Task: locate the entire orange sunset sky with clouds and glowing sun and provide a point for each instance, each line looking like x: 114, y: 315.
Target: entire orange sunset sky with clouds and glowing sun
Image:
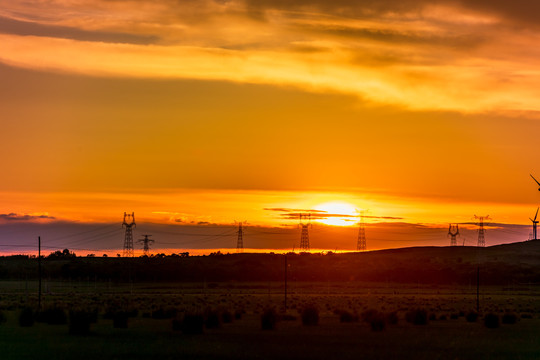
x: 196, y: 114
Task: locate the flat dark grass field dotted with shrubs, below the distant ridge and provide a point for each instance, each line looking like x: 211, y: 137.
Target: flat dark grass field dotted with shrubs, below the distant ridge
x: 447, y: 334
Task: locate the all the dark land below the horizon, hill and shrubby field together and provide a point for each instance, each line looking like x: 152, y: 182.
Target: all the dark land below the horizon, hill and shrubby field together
x: 416, y: 303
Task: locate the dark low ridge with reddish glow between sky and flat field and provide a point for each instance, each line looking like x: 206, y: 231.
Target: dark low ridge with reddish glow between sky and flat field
x: 499, y: 265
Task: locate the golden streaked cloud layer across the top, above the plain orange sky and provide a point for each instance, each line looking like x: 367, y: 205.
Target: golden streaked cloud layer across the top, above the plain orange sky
x: 465, y: 56
